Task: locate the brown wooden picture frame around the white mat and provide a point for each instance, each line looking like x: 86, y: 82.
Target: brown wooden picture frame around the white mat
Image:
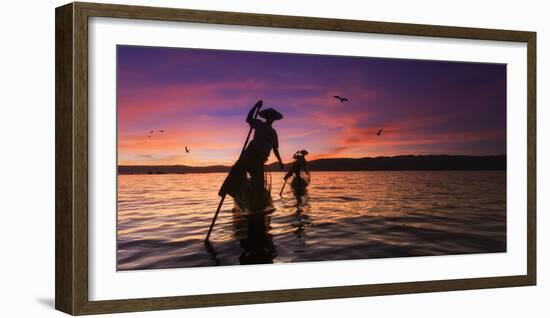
x: 71, y: 270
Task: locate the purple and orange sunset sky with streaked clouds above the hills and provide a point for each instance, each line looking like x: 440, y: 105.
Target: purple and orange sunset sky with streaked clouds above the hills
x: 200, y: 98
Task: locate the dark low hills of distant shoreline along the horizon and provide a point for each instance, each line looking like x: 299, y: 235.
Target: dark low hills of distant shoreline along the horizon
x: 396, y: 163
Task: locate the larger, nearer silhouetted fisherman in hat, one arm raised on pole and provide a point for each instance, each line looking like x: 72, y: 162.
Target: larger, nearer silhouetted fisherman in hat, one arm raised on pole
x: 254, y: 157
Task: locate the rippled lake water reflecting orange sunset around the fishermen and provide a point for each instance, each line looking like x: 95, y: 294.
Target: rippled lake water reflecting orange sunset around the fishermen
x: 163, y: 219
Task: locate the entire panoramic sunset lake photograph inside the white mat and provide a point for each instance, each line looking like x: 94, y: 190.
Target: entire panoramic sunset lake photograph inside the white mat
x: 241, y: 158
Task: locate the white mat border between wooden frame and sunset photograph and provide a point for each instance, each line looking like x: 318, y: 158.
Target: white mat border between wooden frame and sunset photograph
x: 106, y: 283
